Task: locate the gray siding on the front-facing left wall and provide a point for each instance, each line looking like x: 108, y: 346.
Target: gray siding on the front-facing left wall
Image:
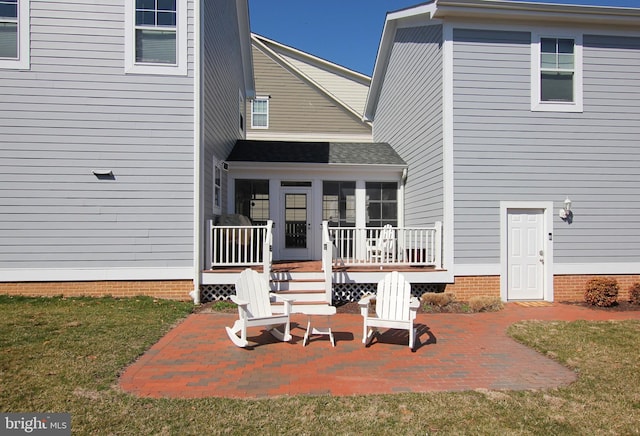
x: 74, y: 111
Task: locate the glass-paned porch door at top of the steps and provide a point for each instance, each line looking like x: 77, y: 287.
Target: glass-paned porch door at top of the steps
x: 296, y: 237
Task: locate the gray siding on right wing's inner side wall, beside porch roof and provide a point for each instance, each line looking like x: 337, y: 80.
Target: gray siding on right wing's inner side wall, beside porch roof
x: 409, y: 117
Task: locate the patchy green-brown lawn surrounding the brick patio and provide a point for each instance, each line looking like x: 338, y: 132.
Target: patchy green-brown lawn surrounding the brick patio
x: 64, y: 355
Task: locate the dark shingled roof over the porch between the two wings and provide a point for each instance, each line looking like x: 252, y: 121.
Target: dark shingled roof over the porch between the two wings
x: 346, y: 153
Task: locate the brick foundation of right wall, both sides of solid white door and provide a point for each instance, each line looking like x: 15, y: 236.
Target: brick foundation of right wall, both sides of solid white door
x: 565, y: 287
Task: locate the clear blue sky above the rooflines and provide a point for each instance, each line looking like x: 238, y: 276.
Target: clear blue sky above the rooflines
x: 346, y: 32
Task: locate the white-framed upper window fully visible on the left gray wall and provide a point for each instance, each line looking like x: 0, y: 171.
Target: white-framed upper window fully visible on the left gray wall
x: 156, y: 41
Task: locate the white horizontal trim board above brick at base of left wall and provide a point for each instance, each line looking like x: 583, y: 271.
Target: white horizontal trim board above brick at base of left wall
x: 87, y: 274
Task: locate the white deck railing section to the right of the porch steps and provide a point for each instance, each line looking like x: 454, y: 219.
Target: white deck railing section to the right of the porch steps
x: 373, y: 246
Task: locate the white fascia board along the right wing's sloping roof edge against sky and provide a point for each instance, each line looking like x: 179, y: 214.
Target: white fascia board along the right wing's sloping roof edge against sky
x: 414, y: 16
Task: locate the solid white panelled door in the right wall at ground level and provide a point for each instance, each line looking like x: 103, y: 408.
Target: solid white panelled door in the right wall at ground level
x: 525, y: 254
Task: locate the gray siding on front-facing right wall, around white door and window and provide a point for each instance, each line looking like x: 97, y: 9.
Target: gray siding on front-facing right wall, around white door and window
x: 503, y: 151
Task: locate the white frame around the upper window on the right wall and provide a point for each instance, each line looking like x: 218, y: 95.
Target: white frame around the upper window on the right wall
x: 537, y: 105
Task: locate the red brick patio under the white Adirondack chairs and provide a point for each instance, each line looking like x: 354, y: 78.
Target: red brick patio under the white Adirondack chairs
x: 454, y: 352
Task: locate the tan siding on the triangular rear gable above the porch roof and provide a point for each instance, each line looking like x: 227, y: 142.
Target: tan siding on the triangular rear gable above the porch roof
x: 295, y: 106
